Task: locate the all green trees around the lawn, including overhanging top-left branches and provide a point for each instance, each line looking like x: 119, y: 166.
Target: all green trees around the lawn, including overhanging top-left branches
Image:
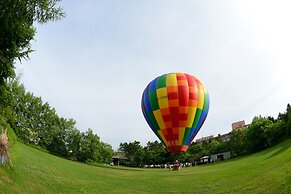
x: 34, y: 122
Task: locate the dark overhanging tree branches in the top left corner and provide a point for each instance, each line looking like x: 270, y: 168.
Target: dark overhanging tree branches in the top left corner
x: 16, y: 20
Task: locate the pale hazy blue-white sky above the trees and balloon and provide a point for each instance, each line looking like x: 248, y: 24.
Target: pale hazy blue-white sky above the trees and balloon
x: 94, y: 64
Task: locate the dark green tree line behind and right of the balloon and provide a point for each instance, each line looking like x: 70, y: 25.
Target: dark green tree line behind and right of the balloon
x: 263, y: 132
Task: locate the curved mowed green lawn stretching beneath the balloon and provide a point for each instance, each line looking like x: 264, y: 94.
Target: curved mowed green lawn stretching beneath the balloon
x: 34, y: 171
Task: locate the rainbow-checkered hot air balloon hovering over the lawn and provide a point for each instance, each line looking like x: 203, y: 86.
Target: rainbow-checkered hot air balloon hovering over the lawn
x: 175, y: 106
